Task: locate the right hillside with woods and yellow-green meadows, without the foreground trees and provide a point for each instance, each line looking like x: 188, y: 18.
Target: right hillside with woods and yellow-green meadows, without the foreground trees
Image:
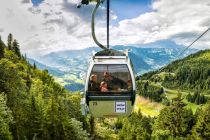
x: 189, y: 77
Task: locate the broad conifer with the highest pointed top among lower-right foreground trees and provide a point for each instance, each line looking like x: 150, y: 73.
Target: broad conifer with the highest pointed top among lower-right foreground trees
x: 174, y: 121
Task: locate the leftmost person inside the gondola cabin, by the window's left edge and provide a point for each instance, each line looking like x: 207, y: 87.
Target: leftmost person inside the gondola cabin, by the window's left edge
x: 93, y: 84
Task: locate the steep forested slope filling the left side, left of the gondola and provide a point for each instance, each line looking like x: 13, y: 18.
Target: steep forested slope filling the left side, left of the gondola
x: 32, y: 105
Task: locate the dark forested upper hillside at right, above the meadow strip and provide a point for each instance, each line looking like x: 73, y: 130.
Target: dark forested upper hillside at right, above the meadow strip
x: 191, y: 73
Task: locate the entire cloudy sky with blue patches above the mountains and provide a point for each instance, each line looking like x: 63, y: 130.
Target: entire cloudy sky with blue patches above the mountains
x: 45, y: 26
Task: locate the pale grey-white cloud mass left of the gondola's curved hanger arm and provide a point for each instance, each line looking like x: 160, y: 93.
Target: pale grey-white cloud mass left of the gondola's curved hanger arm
x: 50, y: 29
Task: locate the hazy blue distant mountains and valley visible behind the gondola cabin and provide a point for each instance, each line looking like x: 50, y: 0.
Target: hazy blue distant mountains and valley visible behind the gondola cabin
x: 70, y: 66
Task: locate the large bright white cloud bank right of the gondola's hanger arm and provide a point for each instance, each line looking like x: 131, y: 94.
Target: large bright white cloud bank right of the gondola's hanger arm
x: 181, y: 23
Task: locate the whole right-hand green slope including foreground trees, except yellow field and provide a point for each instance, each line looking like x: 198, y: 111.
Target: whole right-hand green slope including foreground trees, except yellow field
x: 176, y: 120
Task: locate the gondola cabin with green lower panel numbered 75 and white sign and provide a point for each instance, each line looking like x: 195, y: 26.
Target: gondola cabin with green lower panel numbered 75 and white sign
x: 110, y: 85
